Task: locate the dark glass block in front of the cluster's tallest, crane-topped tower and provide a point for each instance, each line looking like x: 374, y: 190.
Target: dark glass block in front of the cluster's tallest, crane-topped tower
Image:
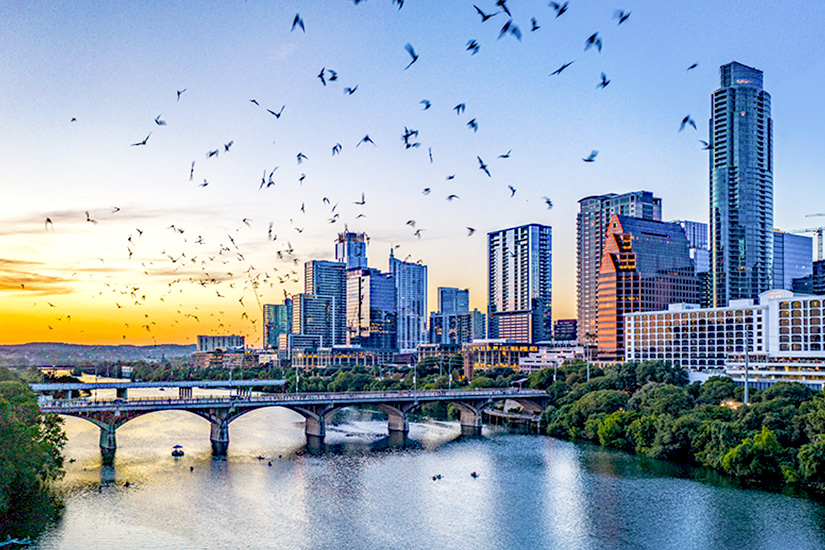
x: 371, y: 310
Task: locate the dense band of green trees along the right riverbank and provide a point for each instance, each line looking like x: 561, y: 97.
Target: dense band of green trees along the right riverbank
x: 650, y: 409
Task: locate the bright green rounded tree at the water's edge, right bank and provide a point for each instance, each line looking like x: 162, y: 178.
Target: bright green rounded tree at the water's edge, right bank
x: 756, y: 458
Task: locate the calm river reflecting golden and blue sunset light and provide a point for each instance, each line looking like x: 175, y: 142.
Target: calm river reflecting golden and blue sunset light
x: 362, y: 492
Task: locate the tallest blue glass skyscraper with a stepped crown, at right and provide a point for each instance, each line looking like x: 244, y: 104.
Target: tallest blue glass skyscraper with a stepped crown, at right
x: 741, y: 186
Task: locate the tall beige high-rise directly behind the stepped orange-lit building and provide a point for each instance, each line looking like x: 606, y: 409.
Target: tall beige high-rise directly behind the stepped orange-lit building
x: 591, y: 226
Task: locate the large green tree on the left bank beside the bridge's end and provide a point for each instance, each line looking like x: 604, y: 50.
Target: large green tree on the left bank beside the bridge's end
x: 30, y: 446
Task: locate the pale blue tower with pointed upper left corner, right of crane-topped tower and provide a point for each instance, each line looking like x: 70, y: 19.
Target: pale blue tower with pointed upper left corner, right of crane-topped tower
x: 411, y: 302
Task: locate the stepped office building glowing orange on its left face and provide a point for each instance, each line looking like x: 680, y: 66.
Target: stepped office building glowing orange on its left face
x: 646, y: 266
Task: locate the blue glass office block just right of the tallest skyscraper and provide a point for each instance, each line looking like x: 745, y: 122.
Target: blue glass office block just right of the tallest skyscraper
x: 793, y: 260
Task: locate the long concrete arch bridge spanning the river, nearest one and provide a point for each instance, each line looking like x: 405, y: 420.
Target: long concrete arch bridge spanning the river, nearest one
x: 110, y: 414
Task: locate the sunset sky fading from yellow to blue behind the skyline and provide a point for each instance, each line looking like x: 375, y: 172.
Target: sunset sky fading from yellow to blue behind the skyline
x: 135, y: 251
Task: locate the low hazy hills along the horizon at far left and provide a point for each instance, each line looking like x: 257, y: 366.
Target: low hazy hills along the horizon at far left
x: 46, y: 353
